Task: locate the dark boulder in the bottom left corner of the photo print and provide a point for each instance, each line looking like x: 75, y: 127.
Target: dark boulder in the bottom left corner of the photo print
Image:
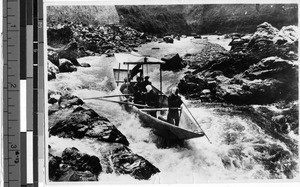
x: 74, y: 166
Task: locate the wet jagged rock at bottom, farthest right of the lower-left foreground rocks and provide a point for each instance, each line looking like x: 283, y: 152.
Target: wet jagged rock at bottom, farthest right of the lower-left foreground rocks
x: 126, y: 162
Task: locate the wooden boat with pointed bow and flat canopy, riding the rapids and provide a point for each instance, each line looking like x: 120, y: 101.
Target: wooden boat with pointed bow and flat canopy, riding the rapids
x: 188, y: 127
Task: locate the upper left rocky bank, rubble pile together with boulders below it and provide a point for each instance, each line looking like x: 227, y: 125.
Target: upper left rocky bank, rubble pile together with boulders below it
x: 68, y: 42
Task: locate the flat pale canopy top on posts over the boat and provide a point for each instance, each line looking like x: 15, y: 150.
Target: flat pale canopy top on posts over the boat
x: 135, y: 58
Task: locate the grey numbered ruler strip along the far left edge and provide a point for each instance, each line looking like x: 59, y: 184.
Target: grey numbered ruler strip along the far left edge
x: 11, y: 88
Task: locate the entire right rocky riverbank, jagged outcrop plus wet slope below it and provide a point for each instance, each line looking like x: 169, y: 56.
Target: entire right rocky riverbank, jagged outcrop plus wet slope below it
x: 259, y: 74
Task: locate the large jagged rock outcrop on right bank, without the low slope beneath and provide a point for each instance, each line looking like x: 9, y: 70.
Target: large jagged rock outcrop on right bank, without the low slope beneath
x: 262, y: 70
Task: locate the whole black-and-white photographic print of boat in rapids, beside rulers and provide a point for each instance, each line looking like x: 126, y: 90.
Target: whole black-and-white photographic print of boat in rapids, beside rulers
x: 171, y: 93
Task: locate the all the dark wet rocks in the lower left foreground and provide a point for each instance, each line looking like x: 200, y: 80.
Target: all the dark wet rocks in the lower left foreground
x: 69, y: 117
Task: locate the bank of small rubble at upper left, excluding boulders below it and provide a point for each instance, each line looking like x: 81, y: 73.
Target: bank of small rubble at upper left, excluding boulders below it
x: 107, y: 39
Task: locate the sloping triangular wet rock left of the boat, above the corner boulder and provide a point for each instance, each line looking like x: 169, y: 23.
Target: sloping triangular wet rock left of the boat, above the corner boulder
x: 87, y: 123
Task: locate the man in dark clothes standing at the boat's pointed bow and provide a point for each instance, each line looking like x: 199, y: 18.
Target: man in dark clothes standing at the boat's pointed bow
x: 174, y: 102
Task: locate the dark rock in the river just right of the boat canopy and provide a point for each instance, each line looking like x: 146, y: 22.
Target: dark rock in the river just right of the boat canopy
x: 173, y: 63
